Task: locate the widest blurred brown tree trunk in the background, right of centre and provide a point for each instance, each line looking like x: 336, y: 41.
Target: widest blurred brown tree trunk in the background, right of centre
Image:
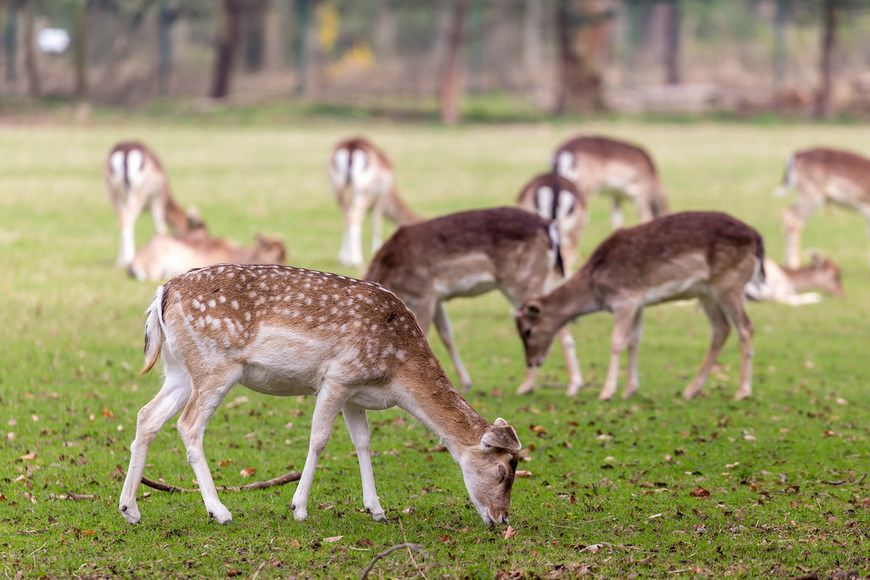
x: 582, y: 28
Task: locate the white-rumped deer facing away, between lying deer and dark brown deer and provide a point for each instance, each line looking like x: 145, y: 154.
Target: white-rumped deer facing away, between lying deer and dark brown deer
x: 363, y: 181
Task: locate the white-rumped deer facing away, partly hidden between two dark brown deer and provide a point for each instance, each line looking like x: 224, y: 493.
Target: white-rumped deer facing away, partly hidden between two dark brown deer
x: 554, y: 197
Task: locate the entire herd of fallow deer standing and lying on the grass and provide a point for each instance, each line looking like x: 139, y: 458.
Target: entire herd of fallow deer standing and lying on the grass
x: 232, y: 315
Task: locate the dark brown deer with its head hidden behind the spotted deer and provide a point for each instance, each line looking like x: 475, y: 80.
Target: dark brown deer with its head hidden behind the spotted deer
x: 468, y: 254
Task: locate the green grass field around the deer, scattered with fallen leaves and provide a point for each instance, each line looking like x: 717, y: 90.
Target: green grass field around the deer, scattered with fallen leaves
x: 617, y: 488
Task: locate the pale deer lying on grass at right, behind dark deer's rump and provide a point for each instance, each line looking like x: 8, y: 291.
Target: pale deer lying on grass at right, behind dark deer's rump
x: 789, y: 286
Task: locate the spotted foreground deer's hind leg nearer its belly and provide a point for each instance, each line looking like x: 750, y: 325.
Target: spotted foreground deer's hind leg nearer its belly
x: 208, y: 393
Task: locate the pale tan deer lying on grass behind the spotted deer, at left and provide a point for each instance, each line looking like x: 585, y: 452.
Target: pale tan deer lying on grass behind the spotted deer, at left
x: 166, y: 256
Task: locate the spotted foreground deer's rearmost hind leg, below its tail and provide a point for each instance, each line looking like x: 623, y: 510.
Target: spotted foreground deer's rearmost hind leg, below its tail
x: 171, y: 399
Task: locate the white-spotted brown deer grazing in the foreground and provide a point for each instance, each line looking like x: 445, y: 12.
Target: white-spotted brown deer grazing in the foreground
x: 286, y: 331
